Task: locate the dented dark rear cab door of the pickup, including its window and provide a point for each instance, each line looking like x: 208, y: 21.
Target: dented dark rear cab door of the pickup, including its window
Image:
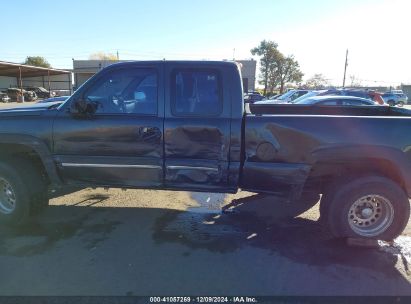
x: 196, y: 128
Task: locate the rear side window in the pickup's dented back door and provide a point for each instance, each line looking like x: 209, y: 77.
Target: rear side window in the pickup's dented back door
x: 196, y: 92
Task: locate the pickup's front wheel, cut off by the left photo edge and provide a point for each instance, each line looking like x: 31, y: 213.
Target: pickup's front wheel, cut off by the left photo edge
x: 15, y: 213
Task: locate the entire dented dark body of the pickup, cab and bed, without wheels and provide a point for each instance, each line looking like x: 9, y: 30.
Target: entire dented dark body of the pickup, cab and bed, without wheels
x: 279, y: 149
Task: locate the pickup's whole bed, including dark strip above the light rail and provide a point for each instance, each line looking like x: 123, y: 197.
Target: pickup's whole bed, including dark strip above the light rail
x: 285, y: 145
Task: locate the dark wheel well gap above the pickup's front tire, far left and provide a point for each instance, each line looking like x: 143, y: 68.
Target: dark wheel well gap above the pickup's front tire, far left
x: 25, y: 152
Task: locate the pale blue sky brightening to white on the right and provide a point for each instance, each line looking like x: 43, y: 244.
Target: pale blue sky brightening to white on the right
x: 316, y: 32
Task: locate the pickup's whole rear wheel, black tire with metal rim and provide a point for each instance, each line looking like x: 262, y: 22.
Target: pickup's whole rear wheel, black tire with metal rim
x: 370, y: 207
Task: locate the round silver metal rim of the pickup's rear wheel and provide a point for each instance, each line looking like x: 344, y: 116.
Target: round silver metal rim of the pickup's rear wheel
x: 370, y: 215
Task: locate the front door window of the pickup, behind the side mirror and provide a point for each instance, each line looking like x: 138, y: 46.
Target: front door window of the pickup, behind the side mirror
x: 128, y: 90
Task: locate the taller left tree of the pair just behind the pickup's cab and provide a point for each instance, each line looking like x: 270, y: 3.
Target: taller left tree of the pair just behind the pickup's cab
x: 268, y: 51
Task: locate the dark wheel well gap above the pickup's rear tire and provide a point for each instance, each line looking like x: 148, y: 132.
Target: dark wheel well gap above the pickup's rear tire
x: 323, y: 174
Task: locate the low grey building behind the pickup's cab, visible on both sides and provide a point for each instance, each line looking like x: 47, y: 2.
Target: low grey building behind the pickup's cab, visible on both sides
x: 84, y: 69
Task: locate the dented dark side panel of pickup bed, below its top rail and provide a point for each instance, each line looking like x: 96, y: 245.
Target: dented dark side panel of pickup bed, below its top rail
x: 291, y: 145
